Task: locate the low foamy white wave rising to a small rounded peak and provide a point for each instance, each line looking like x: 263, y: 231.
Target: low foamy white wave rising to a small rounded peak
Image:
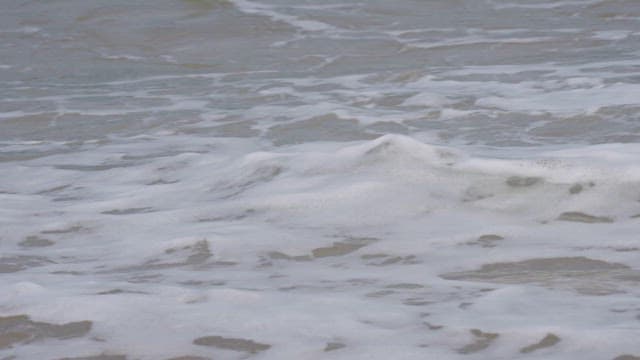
x: 396, y: 175
